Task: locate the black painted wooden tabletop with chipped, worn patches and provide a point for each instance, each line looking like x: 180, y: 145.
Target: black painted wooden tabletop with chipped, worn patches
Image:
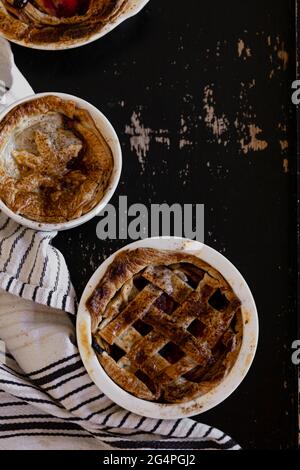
x: 201, y: 80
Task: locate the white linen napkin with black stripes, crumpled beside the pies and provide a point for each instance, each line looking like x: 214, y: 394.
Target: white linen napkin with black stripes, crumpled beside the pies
x: 47, y: 400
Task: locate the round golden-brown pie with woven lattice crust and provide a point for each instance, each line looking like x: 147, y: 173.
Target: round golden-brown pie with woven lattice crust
x: 166, y: 326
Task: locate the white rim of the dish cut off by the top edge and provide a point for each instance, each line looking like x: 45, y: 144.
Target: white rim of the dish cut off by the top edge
x: 133, y: 8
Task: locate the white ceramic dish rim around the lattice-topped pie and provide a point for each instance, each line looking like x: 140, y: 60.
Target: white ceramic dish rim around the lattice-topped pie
x: 216, y: 395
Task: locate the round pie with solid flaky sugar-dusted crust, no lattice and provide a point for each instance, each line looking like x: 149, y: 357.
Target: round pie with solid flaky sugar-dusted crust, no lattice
x: 54, y: 163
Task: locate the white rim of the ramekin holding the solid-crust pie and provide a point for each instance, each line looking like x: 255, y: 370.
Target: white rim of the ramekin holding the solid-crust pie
x: 111, y: 138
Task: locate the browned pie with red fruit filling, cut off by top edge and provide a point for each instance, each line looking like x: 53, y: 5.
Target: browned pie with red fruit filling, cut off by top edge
x: 64, y: 22
